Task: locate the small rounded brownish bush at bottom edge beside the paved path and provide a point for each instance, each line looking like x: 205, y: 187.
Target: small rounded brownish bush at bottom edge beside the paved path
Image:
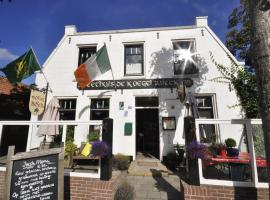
x: 124, y: 192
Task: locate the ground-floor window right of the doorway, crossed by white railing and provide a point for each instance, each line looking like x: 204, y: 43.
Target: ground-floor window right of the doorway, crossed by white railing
x: 206, y: 110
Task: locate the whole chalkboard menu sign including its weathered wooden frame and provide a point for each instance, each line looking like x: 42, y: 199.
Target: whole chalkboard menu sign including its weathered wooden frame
x: 34, y: 177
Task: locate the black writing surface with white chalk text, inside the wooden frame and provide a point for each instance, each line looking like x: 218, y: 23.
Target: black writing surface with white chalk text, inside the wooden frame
x: 35, y: 178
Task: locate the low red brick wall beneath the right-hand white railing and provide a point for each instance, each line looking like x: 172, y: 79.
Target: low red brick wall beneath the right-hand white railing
x: 210, y: 192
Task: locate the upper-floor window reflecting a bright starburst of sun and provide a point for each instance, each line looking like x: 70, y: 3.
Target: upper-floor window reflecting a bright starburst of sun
x: 184, y: 58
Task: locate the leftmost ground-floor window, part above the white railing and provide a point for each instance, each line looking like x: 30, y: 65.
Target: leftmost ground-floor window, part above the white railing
x: 67, y: 109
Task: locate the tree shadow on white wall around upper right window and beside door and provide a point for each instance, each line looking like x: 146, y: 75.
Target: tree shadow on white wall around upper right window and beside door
x: 162, y: 66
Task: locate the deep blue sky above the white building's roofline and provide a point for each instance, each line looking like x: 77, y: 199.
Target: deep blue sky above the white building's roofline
x: 40, y: 23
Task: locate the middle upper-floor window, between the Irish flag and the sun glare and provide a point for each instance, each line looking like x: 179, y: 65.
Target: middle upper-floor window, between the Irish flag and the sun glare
x: 133, y: 60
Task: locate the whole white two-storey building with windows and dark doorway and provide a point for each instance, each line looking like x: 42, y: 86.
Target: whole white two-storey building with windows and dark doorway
x: 137, y: 57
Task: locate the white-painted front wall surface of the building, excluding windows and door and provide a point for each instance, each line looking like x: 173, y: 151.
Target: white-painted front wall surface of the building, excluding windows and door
x: 63, y: 61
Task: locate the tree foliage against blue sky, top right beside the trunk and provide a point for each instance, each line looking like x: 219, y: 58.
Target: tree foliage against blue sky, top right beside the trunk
x: 238, y: 36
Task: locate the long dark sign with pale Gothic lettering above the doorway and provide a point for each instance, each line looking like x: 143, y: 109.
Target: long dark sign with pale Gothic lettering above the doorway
x: 138, y: 84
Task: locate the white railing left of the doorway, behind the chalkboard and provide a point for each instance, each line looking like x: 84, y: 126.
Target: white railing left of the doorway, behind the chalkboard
x: 33, y: 126
